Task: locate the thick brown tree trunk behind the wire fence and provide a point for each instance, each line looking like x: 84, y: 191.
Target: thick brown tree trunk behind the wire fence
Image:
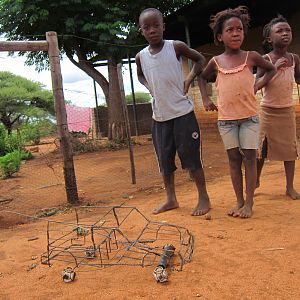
x: 116, y: 123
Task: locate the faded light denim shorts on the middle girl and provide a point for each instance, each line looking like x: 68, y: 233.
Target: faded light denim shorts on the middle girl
x: 243, y: 134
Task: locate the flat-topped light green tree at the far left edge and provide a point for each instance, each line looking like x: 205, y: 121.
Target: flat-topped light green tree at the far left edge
x: 22, y: 99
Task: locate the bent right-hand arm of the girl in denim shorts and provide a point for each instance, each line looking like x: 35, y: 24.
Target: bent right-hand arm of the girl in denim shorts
x: 264, y: 75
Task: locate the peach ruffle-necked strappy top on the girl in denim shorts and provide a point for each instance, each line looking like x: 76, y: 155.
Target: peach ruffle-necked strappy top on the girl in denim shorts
x: 235, y: 92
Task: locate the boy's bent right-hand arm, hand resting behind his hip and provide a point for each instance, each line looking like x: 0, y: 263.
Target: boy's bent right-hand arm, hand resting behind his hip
x: 198, y: 59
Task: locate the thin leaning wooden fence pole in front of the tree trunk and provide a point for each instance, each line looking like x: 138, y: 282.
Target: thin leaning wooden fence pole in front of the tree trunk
x: 127, y: 124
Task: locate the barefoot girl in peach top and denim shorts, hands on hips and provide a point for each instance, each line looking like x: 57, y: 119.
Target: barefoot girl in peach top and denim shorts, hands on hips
x: 238, y: 120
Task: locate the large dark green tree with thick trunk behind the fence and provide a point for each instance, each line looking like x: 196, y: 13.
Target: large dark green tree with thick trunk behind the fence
x: 89, y: 31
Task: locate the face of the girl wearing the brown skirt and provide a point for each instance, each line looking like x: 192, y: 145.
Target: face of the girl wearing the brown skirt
x: 281, y: 34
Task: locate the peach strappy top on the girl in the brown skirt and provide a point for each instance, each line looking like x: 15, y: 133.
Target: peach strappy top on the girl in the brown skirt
x: 278, y: 92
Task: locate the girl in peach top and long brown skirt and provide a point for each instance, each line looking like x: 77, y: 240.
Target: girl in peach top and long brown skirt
x: 278, y: 131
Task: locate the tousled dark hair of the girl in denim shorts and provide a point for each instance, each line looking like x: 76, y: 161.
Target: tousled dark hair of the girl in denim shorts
x: 217, y: 21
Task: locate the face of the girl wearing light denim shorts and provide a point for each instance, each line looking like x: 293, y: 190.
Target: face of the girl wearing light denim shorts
x: 232, y: 33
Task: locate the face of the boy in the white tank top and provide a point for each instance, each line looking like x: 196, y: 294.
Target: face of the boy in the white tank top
x: 152, y: 27
